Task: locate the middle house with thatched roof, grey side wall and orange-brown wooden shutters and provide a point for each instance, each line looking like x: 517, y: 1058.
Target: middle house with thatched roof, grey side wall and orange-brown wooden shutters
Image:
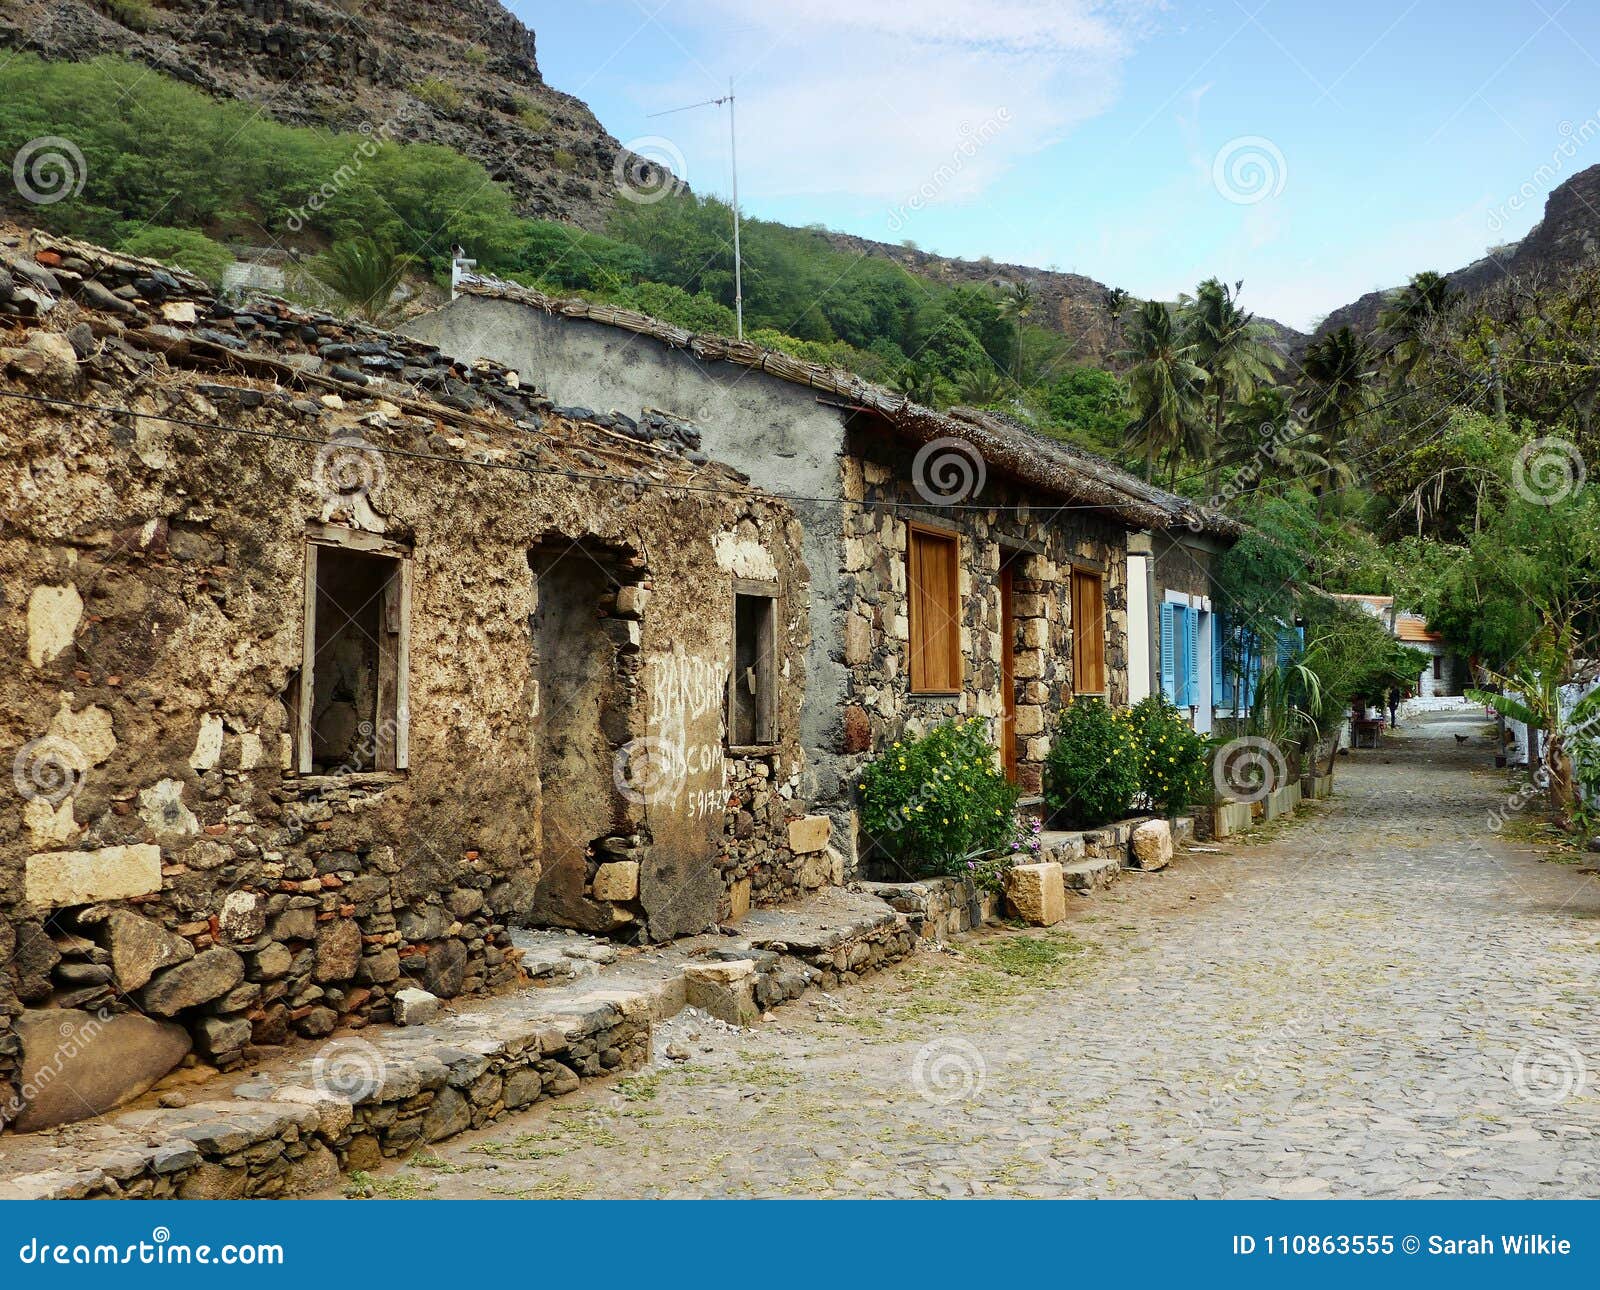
x: 961, y: 564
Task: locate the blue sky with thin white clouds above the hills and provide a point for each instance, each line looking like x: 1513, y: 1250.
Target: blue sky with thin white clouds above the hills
x: 1316, y: 151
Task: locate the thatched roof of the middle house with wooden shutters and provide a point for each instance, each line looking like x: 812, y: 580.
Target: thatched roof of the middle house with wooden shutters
x: 1058, y: 470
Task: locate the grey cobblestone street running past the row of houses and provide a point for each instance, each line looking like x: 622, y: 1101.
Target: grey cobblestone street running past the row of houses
x: 1377, y: 1000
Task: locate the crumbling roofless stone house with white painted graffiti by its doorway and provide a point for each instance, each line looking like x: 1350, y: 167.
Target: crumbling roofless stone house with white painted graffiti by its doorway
x: 332, y: 662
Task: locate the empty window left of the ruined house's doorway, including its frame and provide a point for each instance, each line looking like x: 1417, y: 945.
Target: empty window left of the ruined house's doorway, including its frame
x: 353, y: 700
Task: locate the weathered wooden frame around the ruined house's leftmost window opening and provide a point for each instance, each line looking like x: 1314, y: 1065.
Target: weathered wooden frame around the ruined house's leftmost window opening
x: 394, y: 665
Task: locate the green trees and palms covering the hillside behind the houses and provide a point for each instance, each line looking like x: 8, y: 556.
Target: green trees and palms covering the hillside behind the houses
x: 1375, y: 465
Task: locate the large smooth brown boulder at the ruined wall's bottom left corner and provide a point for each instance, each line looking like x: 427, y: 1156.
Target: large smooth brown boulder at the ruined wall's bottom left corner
x: 78, y: 1065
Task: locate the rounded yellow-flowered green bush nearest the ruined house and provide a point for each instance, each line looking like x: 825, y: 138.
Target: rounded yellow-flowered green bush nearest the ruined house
x: 940, y: 801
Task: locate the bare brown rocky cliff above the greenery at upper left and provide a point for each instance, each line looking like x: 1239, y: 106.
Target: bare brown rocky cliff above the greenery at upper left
x: 460, y: 74
